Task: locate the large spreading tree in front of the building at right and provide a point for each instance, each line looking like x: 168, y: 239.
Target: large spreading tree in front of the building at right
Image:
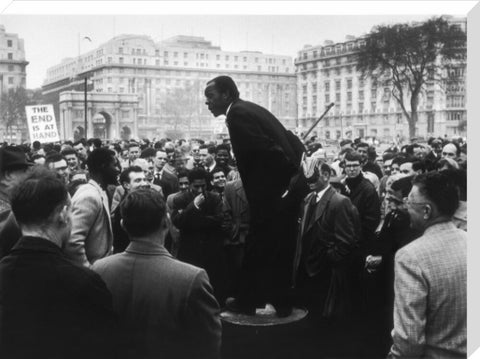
x: 404, y: 55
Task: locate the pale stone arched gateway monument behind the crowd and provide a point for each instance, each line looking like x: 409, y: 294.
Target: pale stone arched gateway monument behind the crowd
x: 108, y: 115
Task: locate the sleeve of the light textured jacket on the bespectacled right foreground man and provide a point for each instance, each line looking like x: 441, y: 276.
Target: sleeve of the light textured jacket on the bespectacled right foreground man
x: 411, y: 290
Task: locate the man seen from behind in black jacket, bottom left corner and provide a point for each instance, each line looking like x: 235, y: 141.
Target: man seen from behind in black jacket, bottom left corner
x: 49, y: 307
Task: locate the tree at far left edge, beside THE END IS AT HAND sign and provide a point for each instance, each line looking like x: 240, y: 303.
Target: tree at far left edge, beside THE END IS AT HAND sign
x: 12, y: 110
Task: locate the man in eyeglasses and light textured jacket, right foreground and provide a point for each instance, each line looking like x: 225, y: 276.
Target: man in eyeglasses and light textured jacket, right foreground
x: 430, y: 310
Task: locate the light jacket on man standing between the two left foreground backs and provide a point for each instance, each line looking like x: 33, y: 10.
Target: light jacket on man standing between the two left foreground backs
x: 92, y: 236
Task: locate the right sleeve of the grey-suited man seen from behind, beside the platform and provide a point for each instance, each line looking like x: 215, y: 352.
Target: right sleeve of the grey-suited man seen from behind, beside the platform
x: 203, y: 318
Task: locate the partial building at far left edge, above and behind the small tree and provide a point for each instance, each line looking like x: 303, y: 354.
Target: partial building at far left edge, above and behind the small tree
x: 12, y: 76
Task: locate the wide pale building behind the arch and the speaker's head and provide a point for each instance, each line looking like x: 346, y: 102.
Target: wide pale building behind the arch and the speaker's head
x: 168, y: 79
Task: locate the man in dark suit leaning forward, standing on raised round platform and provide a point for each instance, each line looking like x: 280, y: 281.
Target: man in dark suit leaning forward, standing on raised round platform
x: 267, y: 157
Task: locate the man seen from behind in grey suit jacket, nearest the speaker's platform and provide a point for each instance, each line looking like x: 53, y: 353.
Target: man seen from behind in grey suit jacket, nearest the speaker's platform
x: 166, y: 307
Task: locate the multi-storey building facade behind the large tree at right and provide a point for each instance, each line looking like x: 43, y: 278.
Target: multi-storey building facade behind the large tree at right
x: 365, y: 107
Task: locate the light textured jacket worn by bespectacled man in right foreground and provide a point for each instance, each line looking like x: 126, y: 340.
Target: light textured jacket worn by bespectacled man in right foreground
x: 430, y: 313
